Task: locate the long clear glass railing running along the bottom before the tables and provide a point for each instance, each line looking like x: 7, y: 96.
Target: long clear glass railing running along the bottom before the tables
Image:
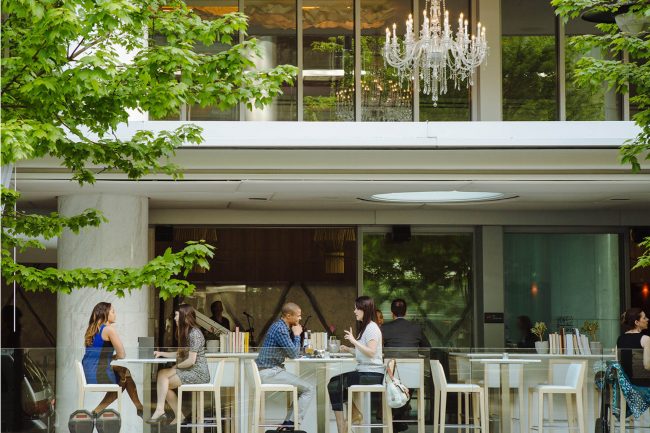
x: 41, y: 388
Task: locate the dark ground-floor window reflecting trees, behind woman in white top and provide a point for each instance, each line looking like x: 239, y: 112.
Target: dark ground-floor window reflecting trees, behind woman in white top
x: 433, y: 274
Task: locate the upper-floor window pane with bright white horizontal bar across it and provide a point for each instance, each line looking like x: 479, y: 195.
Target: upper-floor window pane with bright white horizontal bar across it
x: 328, y: 60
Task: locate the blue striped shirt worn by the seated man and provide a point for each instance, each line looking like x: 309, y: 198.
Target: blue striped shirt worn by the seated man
x: 279, y: 343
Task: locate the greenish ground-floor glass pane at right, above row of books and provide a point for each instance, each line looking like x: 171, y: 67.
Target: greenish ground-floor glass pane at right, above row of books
x: 562, y: 280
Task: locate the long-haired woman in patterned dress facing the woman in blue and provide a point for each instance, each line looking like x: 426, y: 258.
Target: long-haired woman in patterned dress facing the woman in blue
x: 191, y: 364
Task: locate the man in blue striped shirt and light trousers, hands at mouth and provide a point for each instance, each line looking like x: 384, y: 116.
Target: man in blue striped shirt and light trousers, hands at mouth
x: 283, y: 341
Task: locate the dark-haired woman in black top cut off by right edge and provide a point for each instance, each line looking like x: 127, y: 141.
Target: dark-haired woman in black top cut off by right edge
x: 633, y: 347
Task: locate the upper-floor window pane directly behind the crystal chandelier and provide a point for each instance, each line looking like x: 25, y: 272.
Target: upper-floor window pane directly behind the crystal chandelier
x: 455, y: 104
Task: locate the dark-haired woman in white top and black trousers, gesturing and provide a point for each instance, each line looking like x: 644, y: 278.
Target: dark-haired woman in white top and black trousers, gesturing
x: 368, y: 352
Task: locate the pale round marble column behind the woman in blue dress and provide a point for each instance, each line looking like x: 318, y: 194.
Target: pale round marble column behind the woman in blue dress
x: 121, y: 242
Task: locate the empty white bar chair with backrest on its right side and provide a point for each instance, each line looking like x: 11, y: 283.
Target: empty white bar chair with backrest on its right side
x: 571, y: 384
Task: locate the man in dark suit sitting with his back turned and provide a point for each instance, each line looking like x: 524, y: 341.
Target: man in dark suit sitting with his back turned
x: 402, y: 339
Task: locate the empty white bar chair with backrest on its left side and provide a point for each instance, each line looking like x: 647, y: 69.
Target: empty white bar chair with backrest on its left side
x: 442, y: 388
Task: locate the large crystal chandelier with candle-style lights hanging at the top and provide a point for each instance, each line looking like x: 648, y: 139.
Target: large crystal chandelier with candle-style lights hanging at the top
x: 436, y: 55
